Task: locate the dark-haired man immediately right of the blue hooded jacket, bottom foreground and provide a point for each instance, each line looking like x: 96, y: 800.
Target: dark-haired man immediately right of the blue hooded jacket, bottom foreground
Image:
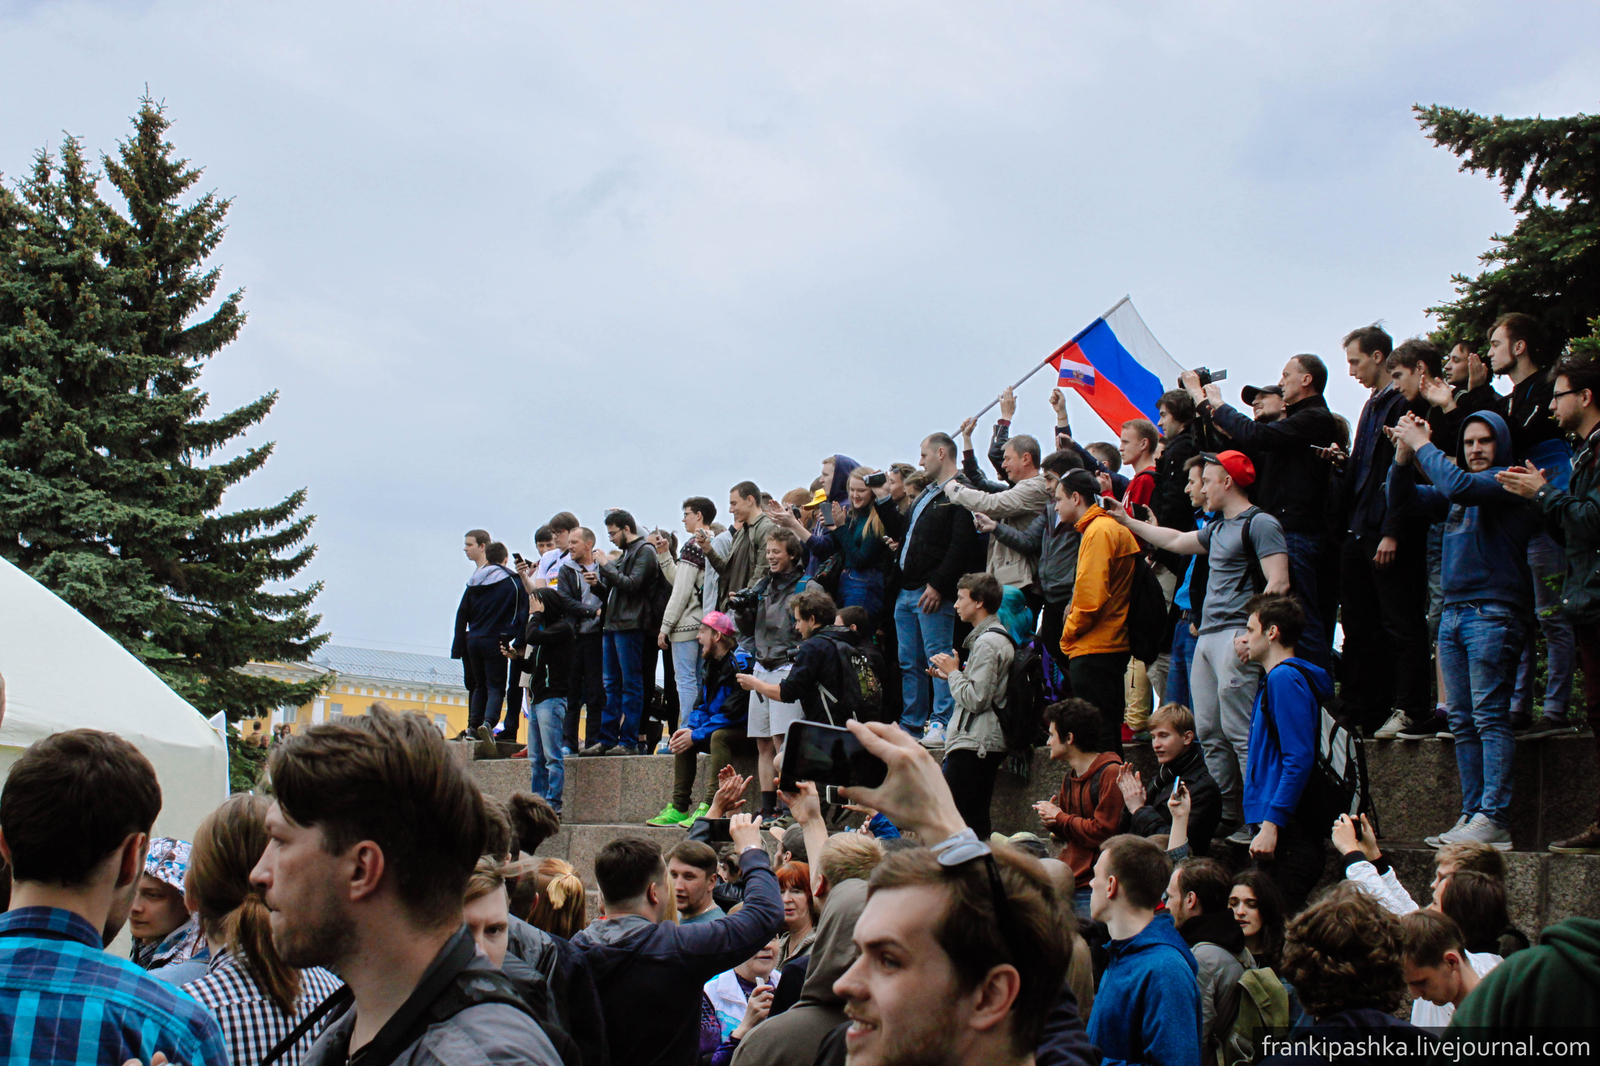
x: 1198, y: 900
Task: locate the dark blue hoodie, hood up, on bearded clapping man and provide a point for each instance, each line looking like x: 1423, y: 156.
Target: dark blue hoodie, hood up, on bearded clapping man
x: 1487, y: 527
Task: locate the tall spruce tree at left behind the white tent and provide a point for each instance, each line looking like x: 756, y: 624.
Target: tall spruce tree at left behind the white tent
x: 108, y: 491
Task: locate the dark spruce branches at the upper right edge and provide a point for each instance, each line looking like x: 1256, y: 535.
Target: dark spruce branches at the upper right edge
x: 1550, y: 265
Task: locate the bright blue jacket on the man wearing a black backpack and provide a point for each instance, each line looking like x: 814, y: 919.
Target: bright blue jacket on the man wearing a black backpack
x: 1276, y: 775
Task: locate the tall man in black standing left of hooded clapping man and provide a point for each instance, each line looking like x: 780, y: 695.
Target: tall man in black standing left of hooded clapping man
x: 1383, y: 567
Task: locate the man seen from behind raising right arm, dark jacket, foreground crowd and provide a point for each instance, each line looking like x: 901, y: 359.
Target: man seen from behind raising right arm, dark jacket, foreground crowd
x: 650, y: 972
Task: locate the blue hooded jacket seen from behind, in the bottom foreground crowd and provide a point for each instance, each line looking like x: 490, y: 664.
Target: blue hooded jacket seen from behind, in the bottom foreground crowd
x: 1148, y: 1004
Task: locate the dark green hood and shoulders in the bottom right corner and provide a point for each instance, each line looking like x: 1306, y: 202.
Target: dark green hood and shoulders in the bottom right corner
x: 1553, y: 985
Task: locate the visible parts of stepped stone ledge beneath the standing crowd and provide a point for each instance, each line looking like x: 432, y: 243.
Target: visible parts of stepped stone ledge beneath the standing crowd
x: 1414, y: 783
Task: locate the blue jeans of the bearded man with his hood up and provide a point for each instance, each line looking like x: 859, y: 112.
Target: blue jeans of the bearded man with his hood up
x: 1479, y: 646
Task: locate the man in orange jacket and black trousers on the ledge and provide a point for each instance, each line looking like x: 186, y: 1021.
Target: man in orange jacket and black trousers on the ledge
x: 1095, y: 633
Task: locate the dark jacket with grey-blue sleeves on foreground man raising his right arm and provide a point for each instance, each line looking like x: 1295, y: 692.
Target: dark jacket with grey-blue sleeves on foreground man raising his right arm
x: 650, y: 974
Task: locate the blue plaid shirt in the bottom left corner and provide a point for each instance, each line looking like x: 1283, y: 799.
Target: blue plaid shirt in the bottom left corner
x: 65, y: 1000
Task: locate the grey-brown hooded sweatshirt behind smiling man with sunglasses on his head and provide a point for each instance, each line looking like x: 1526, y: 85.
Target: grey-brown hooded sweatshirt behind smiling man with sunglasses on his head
x: 793, y: 1038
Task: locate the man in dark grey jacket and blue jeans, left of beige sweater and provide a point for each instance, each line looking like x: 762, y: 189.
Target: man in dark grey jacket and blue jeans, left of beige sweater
x: 628, y: 585
